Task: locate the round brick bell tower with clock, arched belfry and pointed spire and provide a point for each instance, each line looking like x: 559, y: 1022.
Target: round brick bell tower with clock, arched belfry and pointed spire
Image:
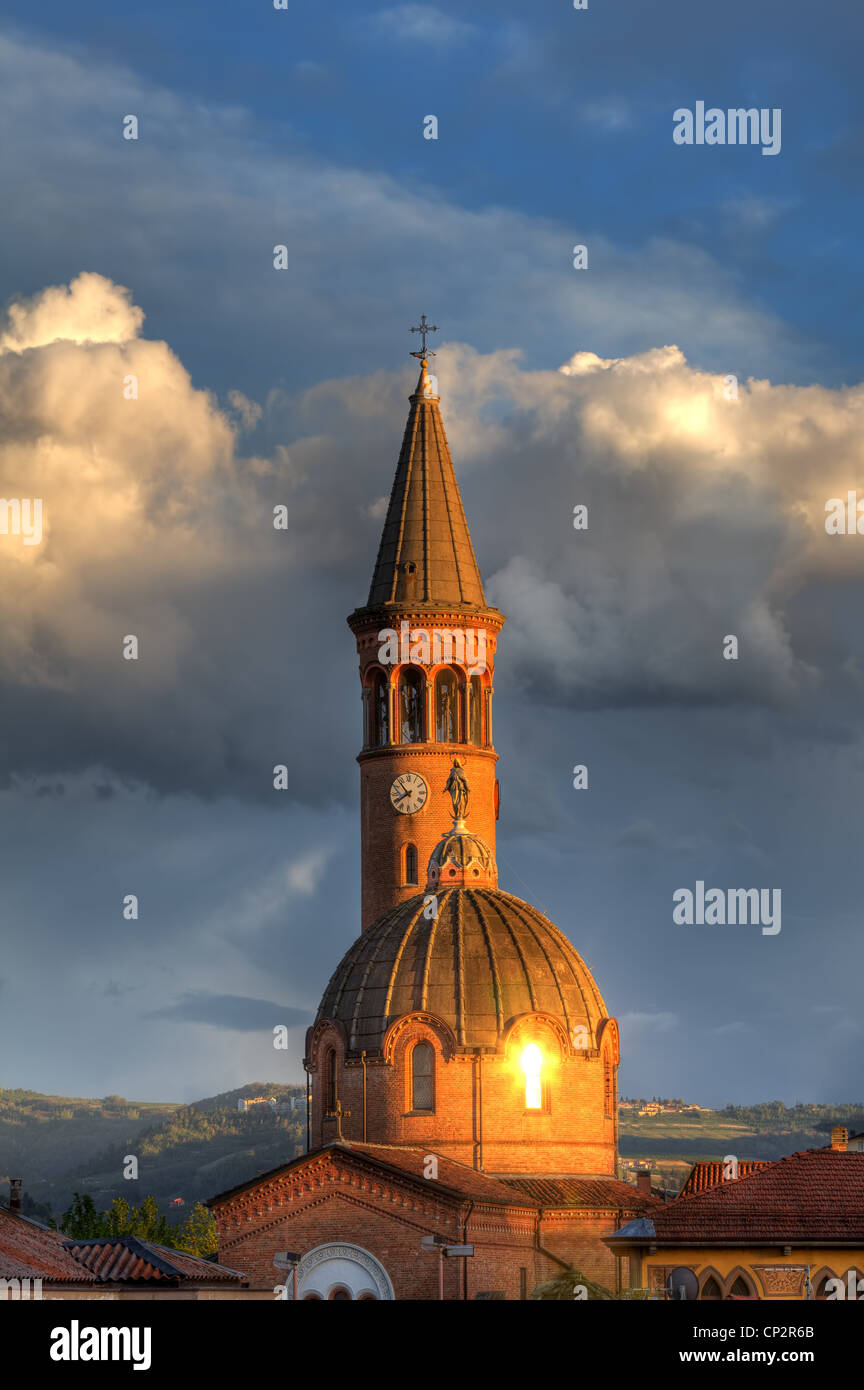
x: 427, y: 641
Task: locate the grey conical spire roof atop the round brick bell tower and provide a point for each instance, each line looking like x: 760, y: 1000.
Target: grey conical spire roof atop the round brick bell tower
x: 426, y: 554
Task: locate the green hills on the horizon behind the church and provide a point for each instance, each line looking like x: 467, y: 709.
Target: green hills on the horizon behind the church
x: 60, y: 1146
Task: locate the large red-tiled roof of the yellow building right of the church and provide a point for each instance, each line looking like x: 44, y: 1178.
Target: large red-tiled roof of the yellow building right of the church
x: 815, y: 1197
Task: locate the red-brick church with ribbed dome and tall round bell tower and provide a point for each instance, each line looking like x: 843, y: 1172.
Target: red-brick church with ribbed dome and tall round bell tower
x: 462, y: 1100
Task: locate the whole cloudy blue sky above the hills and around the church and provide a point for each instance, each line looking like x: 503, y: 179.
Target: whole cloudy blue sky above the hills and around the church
x: 698, y: 387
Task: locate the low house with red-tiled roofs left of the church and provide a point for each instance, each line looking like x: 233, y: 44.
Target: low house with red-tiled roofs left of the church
x: 42, y: 1264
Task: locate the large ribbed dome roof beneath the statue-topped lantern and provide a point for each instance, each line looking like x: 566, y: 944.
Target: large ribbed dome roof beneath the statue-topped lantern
x: 488, y: 958
